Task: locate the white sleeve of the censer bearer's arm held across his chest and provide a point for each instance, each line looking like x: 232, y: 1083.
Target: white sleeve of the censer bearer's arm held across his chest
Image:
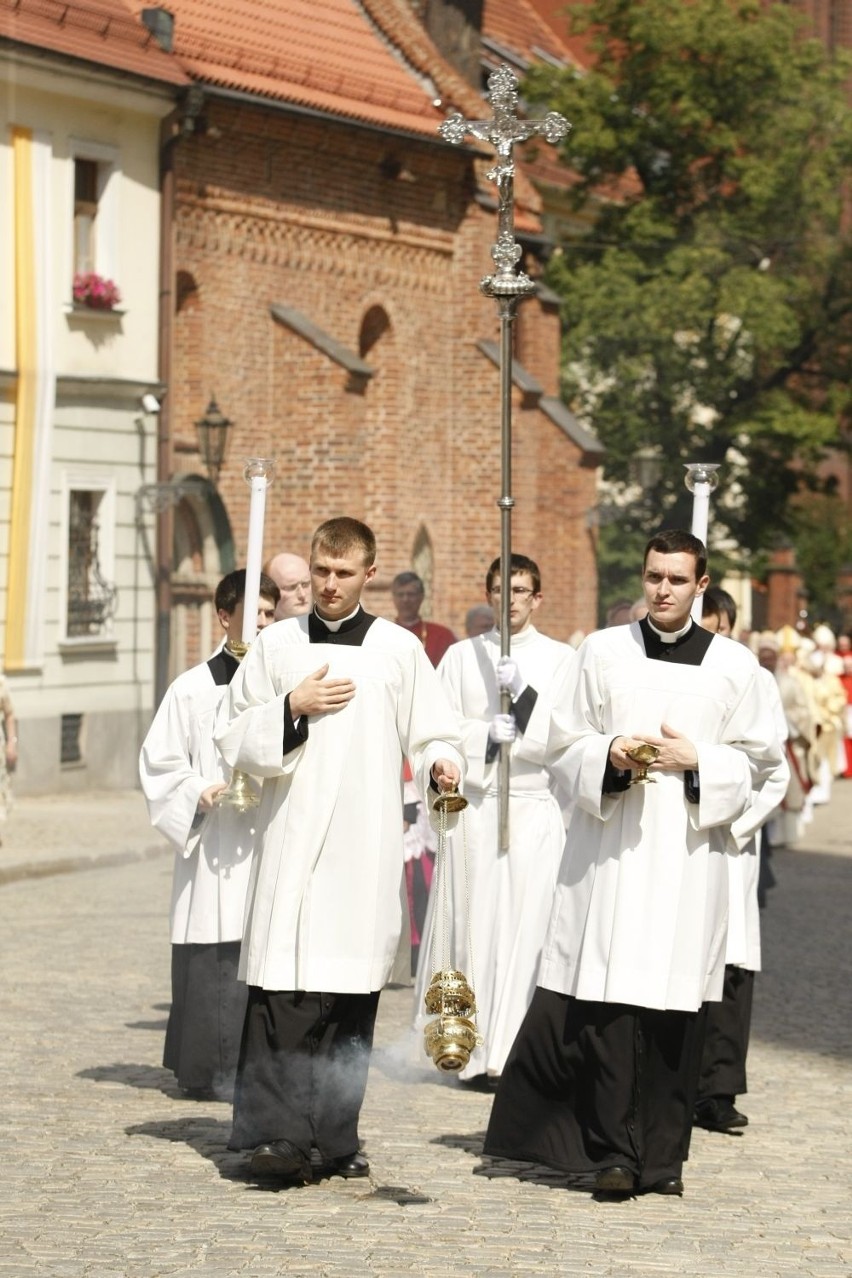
x: 251, y: 725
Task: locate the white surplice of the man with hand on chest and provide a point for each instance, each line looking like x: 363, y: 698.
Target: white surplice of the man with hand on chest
x: 324, y: 909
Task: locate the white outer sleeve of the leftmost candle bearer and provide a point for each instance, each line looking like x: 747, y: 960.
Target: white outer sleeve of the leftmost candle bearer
x: 169, y: 779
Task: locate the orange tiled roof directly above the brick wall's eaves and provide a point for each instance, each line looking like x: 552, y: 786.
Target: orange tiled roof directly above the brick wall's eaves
x: 328, y: 57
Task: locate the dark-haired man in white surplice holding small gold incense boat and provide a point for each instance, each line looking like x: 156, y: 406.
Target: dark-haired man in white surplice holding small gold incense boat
x: 602, y: 1077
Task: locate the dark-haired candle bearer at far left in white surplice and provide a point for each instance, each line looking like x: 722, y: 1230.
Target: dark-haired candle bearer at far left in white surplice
x: 182, y: 778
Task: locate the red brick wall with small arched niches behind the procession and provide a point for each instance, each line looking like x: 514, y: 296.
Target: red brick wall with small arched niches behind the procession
x: 294, y: 212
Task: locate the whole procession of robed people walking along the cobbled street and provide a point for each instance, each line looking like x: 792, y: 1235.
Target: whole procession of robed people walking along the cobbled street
x: 288, y: 920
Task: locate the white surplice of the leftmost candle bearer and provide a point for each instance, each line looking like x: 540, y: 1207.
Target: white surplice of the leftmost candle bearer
x: 178, y: 762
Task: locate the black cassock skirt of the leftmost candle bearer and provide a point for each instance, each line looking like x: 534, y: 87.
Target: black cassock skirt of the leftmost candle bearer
x: 206, y: 1018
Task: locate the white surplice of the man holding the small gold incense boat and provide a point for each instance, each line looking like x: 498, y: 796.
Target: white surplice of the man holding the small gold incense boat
x: 642, y: 905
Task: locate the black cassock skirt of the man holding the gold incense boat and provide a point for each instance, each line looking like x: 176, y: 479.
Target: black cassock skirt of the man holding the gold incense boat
x: 591, y: 1086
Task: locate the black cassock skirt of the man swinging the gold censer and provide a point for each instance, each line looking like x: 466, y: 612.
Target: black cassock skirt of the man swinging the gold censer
x: 303, y: 1070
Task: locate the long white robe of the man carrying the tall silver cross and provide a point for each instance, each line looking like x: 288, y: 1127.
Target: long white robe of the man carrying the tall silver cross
x: 498, y: 903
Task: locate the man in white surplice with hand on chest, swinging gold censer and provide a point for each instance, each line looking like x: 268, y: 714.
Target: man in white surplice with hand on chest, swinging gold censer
x: 325, y: 709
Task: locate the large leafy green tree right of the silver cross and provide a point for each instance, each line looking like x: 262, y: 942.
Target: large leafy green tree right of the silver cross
x: 708, y: 304
